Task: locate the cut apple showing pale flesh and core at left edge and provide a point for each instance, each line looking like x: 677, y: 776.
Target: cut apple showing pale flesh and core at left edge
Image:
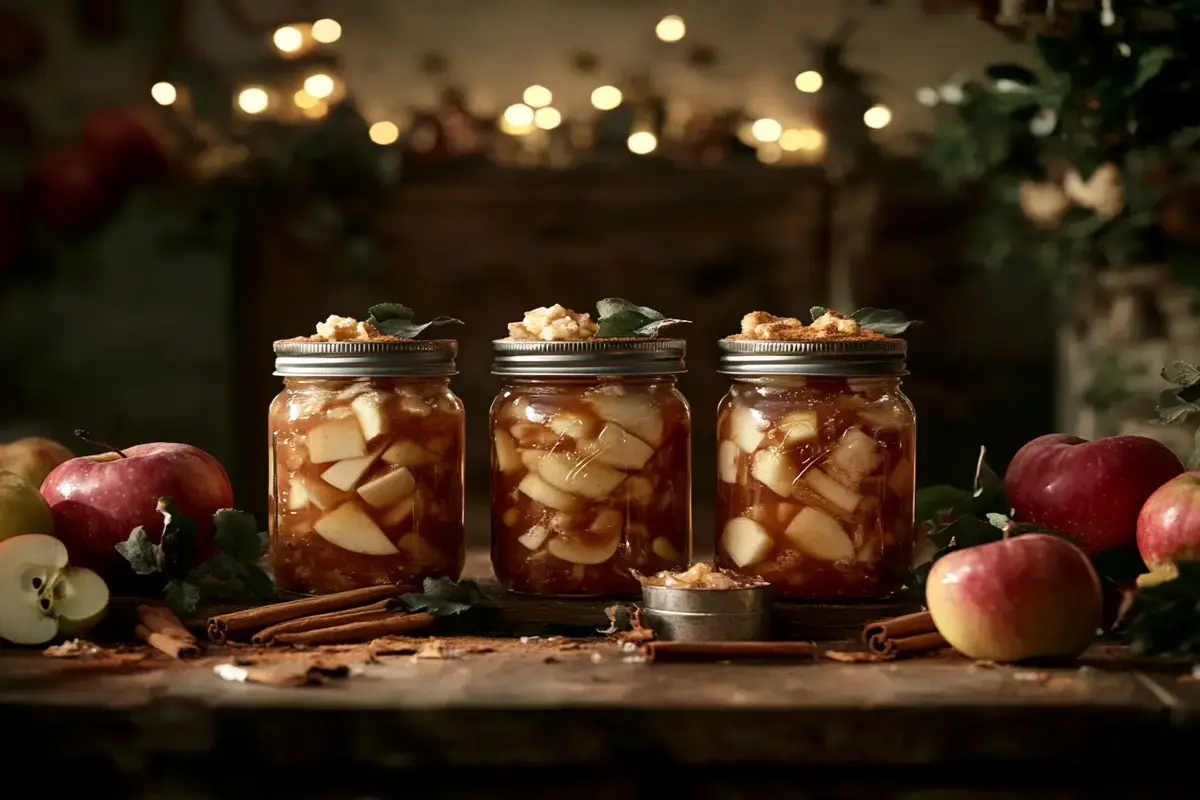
x: 41, y: 597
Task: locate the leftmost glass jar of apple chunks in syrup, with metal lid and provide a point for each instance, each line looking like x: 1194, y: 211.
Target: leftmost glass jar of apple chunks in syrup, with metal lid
x: 367, y: 465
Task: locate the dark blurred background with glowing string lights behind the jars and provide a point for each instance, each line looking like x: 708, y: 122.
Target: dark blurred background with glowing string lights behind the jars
x: 184, y: 182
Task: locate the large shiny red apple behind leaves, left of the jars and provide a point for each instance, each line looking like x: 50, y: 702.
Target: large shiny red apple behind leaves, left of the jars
x: 97, y: 501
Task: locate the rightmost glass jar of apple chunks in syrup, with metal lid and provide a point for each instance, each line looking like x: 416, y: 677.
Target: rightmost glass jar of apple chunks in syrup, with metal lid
x: 817, y: 467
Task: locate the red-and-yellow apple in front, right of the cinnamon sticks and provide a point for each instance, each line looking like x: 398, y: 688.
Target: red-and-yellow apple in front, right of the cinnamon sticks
x: 1021, y: 598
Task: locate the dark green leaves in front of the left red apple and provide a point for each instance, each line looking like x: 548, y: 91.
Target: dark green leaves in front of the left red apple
x: 233, y: 574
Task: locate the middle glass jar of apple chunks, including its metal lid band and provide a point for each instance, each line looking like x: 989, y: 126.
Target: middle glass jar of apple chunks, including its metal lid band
x: 591, y: 466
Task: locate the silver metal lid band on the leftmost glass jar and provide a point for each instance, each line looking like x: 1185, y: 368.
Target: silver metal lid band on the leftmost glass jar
x: 393, y: 359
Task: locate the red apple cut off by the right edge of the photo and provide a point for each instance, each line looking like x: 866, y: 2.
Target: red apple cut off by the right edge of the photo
x: 1169, y: 524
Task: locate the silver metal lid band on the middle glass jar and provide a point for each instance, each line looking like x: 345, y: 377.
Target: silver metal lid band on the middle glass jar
x: 626, y: 357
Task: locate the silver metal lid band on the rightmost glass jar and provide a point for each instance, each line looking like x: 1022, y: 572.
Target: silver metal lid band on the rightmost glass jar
x: 851, y: 359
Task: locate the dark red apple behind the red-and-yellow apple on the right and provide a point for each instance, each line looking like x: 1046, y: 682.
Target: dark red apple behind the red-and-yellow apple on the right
x: 1090, y: 491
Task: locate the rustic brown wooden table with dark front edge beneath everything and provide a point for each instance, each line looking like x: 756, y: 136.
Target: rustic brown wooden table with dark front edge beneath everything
x: 583, y: 719
